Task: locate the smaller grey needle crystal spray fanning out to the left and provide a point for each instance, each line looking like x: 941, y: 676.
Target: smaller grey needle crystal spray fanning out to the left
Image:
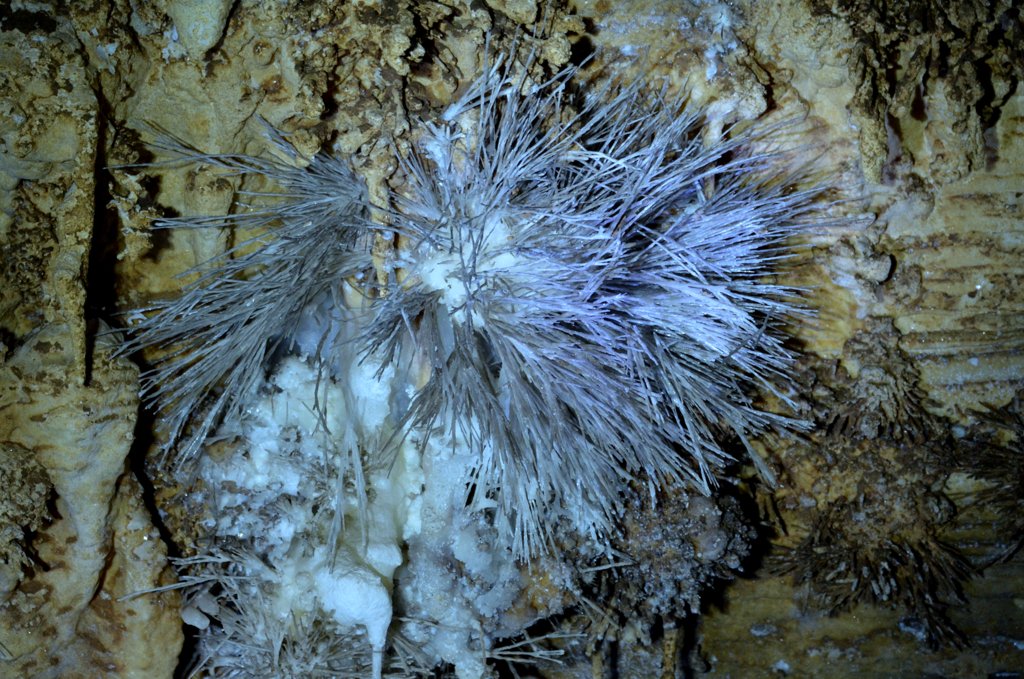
x: 221, y: 335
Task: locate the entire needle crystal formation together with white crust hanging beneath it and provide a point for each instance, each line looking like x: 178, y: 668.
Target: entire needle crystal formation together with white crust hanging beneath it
x: 578, y: 300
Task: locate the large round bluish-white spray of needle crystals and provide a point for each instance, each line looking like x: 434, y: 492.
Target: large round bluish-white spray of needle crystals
x: 587, y: 288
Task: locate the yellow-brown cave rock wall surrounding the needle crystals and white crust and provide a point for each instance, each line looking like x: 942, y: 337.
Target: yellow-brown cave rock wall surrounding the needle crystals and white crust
x: 887, y: 516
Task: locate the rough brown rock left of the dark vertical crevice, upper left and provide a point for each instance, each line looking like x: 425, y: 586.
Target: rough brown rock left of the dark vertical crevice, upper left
x: 48, y: 123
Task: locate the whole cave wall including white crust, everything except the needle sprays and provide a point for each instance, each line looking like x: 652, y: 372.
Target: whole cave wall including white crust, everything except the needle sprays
x: 884, y: 538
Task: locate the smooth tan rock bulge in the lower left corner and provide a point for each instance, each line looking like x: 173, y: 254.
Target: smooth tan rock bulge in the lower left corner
x: 90, y: 555
